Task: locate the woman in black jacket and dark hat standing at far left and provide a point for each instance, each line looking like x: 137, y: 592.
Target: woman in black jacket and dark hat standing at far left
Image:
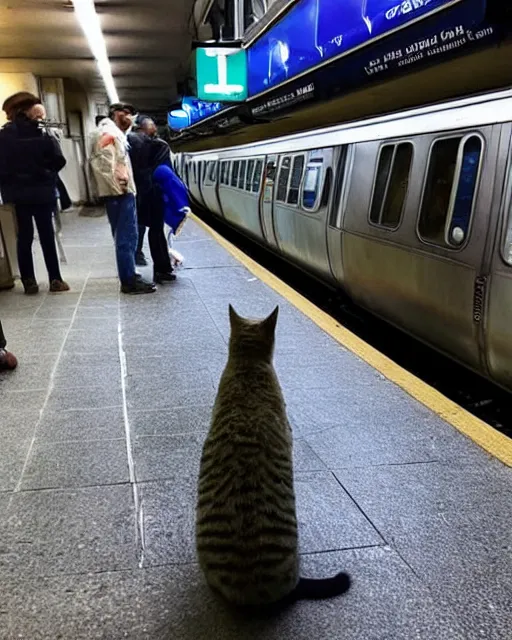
x: 29, y: 166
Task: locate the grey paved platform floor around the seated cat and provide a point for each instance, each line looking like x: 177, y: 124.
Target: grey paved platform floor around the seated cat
x: 101, y: 429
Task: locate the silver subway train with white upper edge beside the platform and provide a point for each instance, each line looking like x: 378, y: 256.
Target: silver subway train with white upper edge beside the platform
x: 409, y: 213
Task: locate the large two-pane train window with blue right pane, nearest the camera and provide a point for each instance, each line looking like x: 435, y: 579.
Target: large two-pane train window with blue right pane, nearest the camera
x: 449, y: 194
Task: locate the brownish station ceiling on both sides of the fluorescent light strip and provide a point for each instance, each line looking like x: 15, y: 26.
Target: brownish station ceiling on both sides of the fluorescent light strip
x: 148, y: 44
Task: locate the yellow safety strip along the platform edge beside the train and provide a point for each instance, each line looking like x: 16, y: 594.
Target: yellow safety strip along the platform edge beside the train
x: 485, y: 436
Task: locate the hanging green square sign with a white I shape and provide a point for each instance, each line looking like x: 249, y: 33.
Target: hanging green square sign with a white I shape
x: 221, y: 74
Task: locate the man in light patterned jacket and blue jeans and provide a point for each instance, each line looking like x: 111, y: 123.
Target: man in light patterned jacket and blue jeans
x: 112, y: 170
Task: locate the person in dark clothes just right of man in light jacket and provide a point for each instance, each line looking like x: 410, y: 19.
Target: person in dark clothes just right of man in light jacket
x: 146, y: 153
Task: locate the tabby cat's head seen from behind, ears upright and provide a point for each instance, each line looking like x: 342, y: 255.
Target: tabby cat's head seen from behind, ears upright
x: 253, y: 336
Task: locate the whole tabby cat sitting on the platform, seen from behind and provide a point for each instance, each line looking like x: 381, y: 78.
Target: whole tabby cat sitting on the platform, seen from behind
x: 246, y: 527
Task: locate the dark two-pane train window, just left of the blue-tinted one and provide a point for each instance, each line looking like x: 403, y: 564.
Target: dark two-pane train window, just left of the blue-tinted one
x: 391, y: 184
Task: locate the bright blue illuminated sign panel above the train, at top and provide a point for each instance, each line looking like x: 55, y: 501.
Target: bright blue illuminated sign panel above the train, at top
x: 316, y: 31
